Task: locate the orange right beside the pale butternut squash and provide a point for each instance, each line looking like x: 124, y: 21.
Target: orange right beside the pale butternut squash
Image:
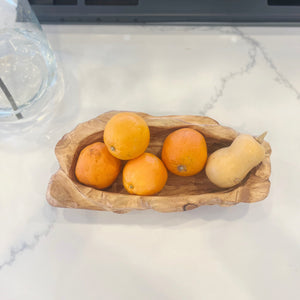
x: 184, y: 152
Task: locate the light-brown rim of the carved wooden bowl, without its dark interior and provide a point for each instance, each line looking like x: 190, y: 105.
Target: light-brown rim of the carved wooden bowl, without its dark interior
x: 91, y: 198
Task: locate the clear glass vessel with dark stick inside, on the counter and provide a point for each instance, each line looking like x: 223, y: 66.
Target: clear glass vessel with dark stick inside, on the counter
x: 30, y: 82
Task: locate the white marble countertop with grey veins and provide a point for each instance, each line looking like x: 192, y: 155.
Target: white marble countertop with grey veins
x: 246, y: 78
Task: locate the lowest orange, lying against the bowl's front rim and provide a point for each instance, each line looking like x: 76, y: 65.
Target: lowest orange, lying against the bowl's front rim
x: 144, y: 175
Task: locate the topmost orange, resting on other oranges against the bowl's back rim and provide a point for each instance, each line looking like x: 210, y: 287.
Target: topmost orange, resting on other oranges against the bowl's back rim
x: 126, y: 135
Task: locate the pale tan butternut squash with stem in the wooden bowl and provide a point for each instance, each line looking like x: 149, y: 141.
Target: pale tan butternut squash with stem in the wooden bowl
x: 228, y: 166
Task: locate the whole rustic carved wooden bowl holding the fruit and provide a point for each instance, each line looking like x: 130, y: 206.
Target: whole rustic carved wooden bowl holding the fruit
x: 179, y: 194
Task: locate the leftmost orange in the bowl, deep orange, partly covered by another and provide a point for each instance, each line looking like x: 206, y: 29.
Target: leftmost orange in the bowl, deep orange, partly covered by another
x: 96, y: 167
